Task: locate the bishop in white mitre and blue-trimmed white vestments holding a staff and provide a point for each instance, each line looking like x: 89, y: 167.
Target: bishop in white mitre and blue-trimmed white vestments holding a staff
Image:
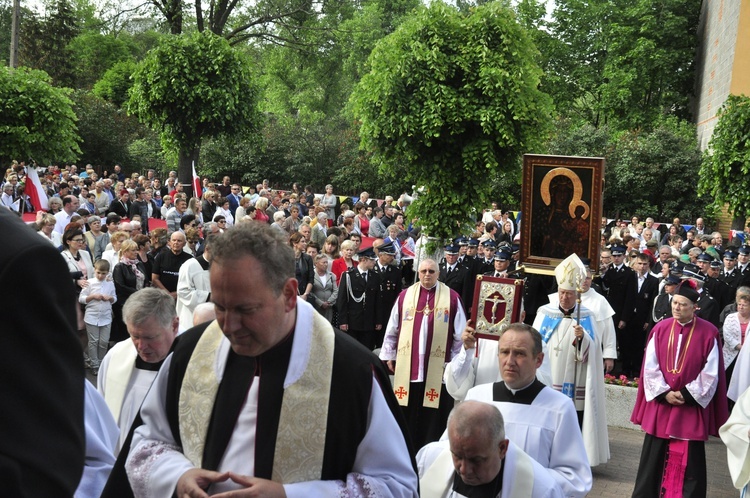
x: 575, y: 356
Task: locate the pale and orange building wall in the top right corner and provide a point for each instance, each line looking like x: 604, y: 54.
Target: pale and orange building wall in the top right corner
x: 723, y: 60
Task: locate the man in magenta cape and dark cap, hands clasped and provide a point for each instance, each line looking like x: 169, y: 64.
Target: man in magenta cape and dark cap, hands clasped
x: 681, y: 400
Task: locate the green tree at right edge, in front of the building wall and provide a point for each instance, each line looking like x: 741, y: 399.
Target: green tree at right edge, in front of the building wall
x: 725, y: 172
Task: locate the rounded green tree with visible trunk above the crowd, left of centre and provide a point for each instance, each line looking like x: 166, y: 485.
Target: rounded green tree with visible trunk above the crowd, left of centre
x: 191, y: 88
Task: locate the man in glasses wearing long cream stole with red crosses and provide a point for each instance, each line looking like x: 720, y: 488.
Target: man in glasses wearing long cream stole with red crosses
x: 423, y: 334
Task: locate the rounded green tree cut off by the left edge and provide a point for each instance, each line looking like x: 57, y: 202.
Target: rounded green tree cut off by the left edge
x: 36, y: 118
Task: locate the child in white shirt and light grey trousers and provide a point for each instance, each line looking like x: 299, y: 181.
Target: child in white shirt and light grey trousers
x: 98, y: 297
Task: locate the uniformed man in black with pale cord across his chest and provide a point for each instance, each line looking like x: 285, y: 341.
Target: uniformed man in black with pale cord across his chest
x: 358, y: 300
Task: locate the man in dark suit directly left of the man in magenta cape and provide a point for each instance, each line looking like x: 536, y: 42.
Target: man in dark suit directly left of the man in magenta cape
x: 634, y: 339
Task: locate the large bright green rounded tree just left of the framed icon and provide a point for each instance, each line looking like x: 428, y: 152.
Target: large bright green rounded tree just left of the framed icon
x: 451, y: 100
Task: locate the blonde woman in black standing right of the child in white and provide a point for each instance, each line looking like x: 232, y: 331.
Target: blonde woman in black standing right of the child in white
x: 129, y: 276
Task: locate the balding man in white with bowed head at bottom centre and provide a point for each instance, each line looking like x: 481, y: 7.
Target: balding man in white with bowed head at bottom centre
x: 477, y: 460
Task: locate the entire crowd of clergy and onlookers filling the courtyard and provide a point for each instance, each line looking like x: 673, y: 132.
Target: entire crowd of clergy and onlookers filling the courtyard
x: 211, y: 325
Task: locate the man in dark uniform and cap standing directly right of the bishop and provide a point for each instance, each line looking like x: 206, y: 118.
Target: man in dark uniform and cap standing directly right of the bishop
x: 620, y: 285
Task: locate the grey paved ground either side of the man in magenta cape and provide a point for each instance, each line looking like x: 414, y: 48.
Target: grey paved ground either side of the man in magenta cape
x: 616, y: 478
